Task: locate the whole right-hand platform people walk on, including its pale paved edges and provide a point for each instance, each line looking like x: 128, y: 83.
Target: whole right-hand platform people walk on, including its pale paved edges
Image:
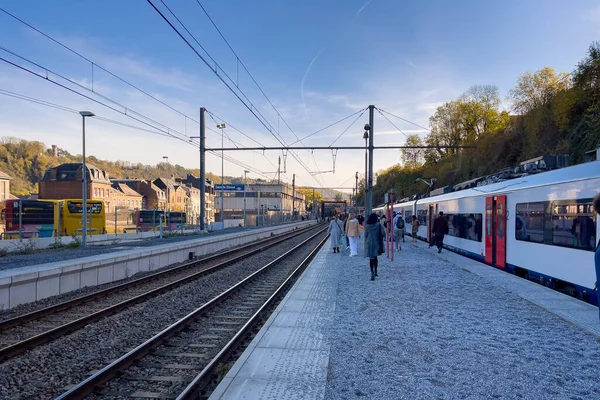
x: 430, y: 326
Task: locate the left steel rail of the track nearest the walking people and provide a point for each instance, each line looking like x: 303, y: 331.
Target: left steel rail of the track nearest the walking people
x: 112, y: 370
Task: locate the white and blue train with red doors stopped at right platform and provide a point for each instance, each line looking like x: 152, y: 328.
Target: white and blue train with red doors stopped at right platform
x: 541, y: 227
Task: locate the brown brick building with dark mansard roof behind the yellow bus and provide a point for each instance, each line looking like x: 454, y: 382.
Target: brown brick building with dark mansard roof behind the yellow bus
x: 64, y: 182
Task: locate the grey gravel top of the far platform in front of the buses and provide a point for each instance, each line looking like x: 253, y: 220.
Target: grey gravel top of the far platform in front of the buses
x: 47, y: 256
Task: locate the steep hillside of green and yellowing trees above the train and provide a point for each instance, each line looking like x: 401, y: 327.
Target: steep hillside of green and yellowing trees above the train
x: 552, y: 113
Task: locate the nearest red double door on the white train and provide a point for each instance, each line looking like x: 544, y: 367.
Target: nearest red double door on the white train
x: 495, y: 231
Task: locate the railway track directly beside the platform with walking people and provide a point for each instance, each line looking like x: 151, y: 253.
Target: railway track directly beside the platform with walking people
x: 178, y: 362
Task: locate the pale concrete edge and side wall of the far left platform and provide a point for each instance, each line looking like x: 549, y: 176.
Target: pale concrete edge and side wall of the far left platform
x: 29, y: 284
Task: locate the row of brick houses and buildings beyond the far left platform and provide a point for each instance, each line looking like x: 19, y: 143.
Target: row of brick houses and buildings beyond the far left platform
x: 174, y: 194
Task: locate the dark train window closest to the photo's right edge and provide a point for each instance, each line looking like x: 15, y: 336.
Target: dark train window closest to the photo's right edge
x: 574, y: 224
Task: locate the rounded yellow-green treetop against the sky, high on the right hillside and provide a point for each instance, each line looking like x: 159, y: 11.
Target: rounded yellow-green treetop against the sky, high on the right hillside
x: 534, y: 90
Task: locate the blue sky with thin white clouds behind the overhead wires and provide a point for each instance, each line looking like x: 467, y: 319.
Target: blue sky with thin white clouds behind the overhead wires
x: 318, y: 62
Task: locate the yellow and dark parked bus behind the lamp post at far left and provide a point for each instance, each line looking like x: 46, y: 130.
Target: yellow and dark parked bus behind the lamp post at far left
x: 30, y: 218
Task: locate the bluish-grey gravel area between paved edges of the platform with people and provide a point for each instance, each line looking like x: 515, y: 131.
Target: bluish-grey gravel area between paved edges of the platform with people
x: 427, y: 329
